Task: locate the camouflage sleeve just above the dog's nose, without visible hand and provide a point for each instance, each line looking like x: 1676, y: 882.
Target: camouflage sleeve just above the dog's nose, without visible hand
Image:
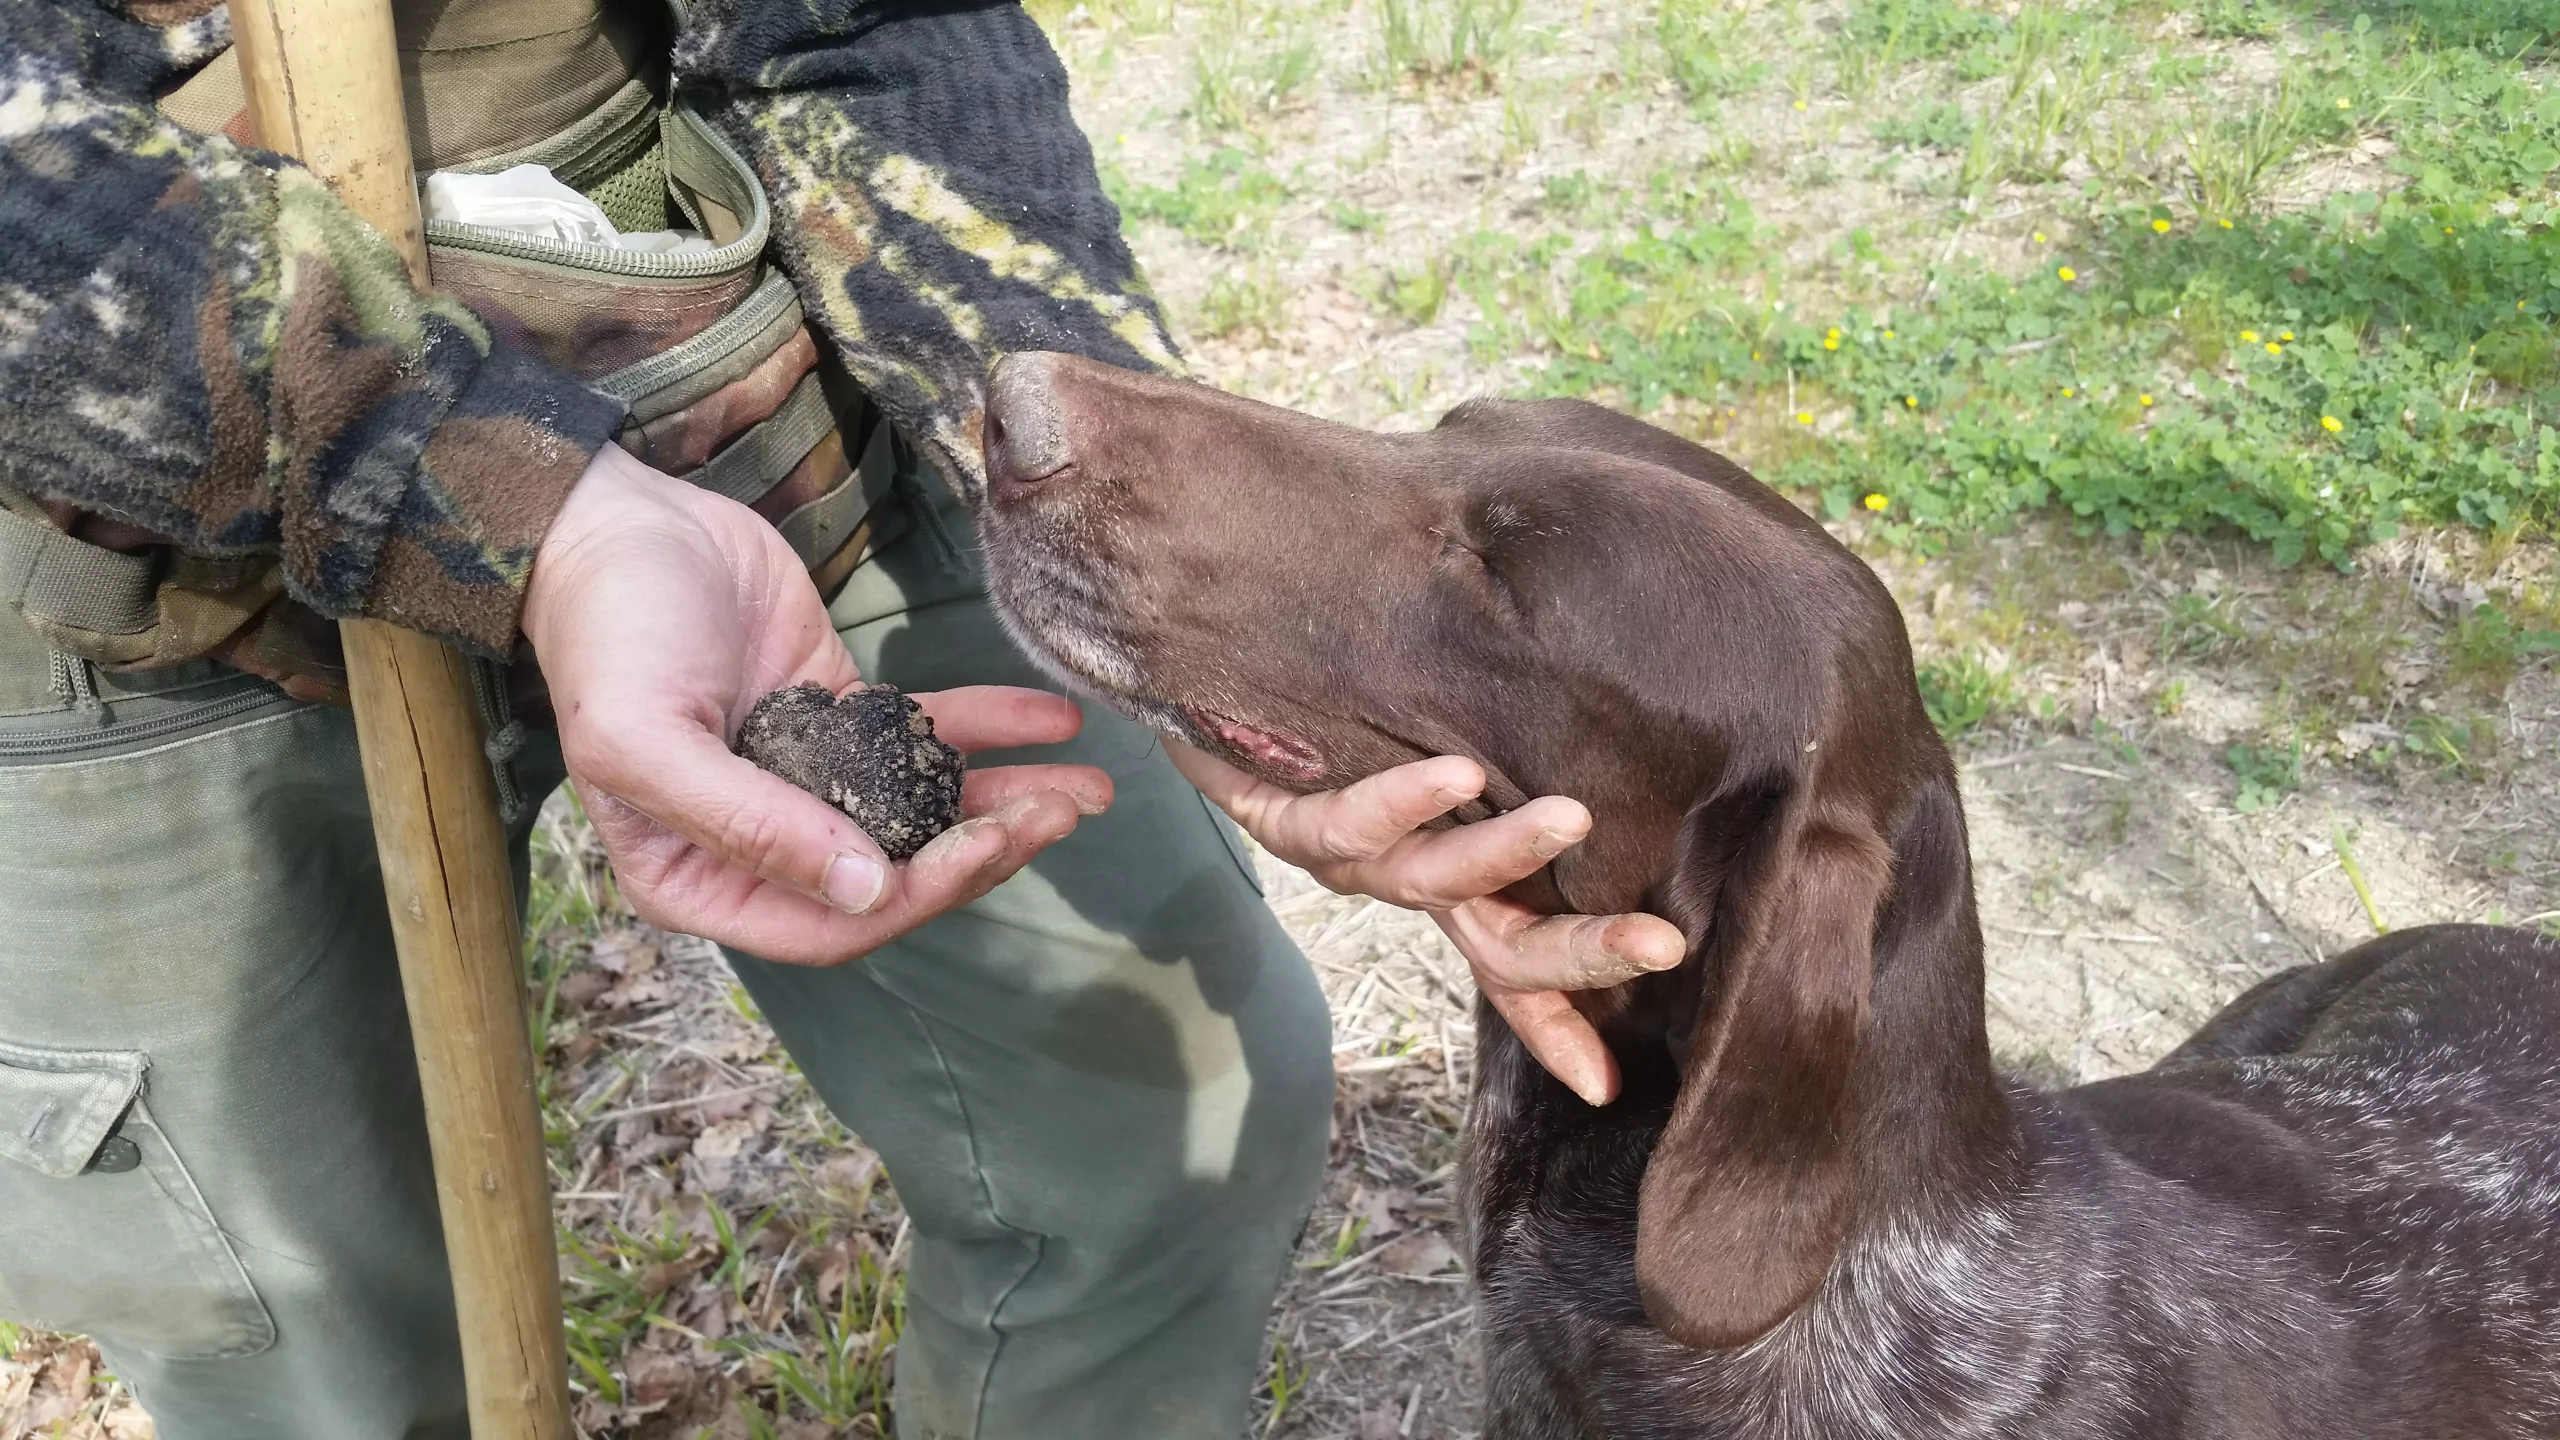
x: 931, y: 191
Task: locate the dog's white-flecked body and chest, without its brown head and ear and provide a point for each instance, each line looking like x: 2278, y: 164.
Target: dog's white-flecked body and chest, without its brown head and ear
x: 2328, y: 1216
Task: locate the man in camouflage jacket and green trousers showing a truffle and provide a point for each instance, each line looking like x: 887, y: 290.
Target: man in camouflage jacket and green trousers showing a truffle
x: 1102, y: 1088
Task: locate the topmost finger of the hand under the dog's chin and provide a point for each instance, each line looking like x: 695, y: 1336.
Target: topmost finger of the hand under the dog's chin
x: 1350, y: 824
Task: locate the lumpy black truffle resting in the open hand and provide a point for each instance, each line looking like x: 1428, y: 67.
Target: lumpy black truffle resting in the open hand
x: 872, y: 755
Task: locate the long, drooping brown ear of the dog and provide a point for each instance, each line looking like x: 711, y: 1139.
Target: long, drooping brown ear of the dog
x: 1752, y: 1185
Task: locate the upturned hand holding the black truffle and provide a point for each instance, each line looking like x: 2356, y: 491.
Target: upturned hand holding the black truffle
x: 662, y: 614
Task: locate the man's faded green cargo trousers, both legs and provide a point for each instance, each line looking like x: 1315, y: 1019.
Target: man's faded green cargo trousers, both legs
x: 1102, y: 1090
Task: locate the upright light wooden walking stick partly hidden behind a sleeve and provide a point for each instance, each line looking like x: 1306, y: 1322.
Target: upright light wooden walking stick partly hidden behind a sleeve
x: 324, y: 86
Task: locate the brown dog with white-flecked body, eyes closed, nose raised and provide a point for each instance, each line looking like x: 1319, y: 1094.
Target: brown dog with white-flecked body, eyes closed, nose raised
x: 1816, y: 1211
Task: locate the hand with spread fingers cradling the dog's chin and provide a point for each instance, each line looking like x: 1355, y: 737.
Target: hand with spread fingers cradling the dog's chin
x: 1366, y: 839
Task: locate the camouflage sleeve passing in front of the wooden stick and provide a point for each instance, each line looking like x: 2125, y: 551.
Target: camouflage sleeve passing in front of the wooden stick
x: 204, y: 342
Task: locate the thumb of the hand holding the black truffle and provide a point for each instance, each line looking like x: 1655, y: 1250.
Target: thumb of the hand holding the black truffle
x: 739, y: 816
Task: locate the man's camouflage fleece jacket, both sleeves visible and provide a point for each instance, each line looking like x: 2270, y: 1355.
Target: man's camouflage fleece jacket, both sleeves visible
x: 201, y: 342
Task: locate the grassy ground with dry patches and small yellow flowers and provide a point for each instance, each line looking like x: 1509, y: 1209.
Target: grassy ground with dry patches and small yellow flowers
x: 2185, y: 368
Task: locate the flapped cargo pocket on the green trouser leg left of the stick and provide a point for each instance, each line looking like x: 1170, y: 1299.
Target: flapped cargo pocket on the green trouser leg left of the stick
x: 101, y: 1231
